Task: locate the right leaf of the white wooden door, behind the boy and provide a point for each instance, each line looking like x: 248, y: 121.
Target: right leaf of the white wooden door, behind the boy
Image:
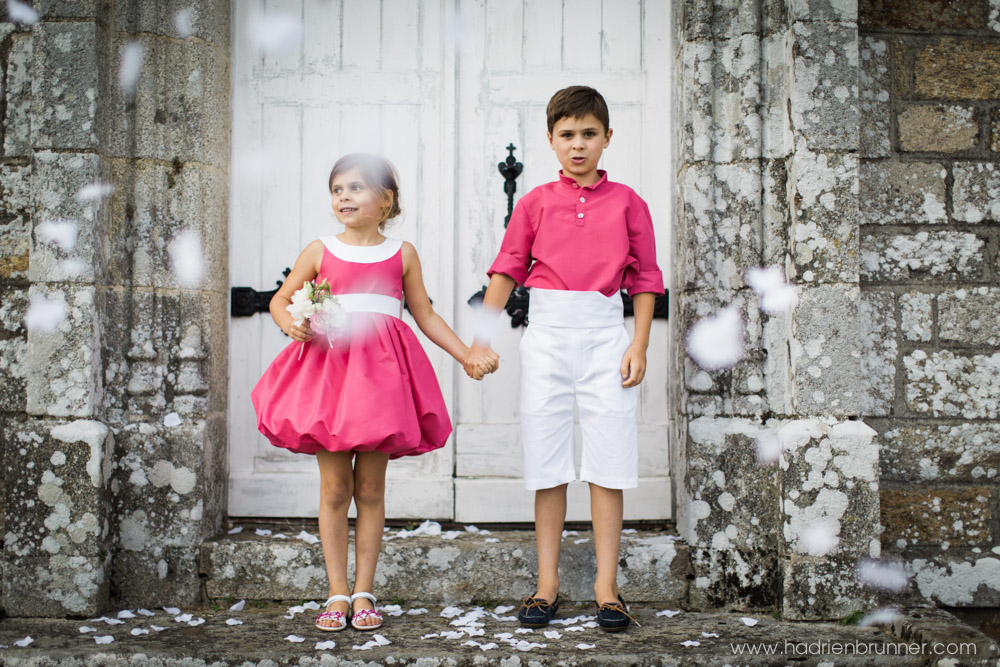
x: 515, y: 55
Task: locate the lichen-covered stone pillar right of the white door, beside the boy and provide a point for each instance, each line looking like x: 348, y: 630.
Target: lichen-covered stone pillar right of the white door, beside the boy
x: 768, y: 175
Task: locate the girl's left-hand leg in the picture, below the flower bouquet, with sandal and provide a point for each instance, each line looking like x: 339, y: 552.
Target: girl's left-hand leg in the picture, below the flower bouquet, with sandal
x: 335, y: 493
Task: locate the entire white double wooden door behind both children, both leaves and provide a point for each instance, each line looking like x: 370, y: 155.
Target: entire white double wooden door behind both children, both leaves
x: 440, y: 87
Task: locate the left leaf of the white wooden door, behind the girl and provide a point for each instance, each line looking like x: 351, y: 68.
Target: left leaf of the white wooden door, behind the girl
x: 312, y: 81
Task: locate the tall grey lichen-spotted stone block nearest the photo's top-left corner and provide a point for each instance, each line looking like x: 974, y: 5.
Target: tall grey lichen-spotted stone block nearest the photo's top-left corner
x: 64, y: 86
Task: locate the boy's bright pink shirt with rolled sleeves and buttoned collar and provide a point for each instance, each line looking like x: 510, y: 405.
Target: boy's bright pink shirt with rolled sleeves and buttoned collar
x: 597, y: 238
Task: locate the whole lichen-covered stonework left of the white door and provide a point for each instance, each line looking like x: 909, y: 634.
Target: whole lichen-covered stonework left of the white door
x: 104, y: 497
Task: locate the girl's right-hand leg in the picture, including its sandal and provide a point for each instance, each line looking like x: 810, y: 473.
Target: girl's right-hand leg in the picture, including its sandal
x: 369, y: 498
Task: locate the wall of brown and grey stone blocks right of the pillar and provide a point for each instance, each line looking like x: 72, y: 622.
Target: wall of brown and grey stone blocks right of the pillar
x: 930, y: 284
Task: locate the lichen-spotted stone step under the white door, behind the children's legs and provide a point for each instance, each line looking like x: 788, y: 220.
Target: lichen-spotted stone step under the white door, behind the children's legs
x: 452, y: 567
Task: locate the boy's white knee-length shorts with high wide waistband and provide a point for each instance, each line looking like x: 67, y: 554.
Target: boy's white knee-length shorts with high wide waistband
x: 565, y: 360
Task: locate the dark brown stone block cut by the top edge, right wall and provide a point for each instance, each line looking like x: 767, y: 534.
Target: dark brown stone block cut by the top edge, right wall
x: 921, y: 15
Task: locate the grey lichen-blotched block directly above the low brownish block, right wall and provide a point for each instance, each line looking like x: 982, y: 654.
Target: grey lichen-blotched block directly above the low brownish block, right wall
x: 965, y: 453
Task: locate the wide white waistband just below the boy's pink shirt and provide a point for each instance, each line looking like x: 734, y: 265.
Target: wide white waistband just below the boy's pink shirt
x: 577, y: 310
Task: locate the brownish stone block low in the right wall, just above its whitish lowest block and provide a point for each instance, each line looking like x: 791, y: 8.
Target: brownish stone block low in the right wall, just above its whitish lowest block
x: 938, y: 516
